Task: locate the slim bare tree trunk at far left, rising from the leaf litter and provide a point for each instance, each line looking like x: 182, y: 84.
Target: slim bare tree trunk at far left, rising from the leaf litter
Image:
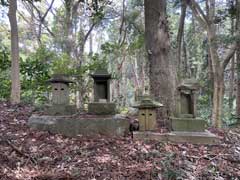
x: 15, y: 73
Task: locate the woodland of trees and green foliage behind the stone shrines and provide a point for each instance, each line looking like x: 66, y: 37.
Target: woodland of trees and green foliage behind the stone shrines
x: 182, y: 39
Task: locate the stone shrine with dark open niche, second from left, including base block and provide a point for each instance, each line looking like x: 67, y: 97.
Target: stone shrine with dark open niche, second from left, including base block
x: 101, y: 104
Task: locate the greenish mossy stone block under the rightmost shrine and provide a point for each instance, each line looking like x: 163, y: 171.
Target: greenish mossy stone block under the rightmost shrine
x: 188, y: 124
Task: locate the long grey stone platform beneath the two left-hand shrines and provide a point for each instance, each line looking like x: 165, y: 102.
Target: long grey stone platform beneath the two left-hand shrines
x: 72, y: 126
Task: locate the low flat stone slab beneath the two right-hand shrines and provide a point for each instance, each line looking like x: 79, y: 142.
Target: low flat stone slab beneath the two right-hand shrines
x: 179, y: 137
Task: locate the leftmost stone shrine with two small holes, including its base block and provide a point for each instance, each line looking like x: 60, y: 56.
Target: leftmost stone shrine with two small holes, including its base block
x: 60, y: 96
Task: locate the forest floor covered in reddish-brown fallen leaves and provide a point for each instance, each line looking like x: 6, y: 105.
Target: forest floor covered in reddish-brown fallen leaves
x: 29, y: 154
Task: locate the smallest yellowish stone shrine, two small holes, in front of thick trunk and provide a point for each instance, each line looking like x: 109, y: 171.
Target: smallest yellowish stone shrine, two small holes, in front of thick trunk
x: 147, y: 113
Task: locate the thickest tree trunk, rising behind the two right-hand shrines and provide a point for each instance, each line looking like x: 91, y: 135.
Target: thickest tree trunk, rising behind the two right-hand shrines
x: 157, y: 47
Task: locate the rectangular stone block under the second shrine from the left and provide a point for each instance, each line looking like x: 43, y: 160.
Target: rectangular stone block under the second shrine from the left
x: 101, y: 108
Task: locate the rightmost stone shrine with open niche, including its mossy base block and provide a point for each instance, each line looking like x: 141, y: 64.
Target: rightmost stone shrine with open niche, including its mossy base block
x: 186, y: 110
